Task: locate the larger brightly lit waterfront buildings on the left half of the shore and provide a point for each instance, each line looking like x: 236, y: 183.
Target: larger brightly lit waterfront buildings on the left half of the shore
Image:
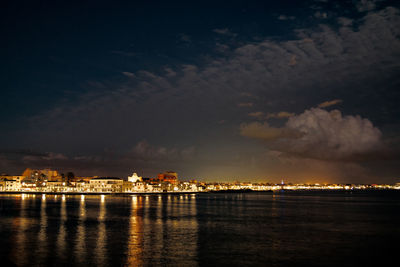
x: 47, y: 180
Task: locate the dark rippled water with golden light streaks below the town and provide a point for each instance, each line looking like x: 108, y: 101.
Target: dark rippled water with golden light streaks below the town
x: 262, y: 229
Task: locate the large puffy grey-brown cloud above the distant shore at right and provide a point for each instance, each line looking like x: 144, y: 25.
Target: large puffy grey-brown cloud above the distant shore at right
x: 320, y: 134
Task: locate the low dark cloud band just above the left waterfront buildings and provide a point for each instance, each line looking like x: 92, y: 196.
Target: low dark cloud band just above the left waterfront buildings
x: 147, y: 158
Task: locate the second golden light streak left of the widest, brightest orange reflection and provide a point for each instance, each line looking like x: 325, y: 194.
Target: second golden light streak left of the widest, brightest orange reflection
x: 80, y: 246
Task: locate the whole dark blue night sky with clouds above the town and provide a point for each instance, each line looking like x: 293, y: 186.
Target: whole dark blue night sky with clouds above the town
x: 305, y: 91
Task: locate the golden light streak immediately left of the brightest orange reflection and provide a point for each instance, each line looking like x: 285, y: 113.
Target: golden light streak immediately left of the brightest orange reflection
x: 101, y: 243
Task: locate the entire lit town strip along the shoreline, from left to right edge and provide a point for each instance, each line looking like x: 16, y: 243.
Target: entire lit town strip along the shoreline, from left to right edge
x: 52, y: 181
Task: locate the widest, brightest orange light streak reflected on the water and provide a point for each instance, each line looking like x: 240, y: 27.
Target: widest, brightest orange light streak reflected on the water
x: 135, y: 241
